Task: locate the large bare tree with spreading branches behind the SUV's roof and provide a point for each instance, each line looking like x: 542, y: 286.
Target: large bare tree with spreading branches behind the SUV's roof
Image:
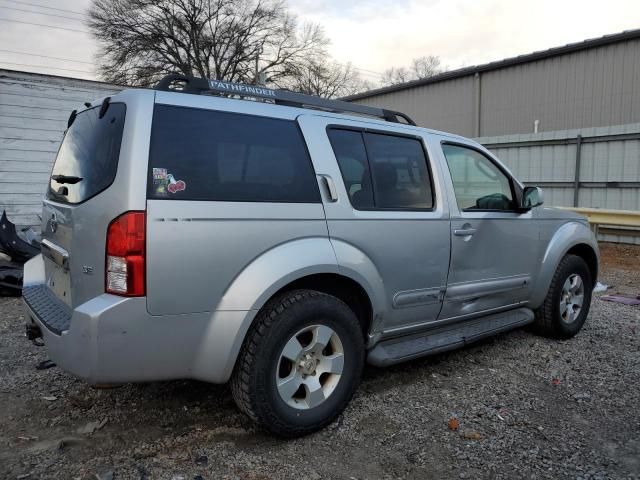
x: 142, y: 40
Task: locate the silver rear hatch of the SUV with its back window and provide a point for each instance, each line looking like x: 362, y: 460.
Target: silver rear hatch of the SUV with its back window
x: 76, y: 210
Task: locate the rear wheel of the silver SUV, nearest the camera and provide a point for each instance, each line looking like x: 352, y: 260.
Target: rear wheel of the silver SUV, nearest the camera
x: 300, y: 364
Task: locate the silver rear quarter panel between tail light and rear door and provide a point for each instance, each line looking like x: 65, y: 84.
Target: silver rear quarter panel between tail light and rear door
x: 196, y: 249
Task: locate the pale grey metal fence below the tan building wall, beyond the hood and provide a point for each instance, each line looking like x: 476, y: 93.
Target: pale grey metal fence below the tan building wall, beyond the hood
x: 609, y: 171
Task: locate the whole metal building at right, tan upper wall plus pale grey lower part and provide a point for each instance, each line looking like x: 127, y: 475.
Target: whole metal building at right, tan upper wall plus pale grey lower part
x: 566, y: 119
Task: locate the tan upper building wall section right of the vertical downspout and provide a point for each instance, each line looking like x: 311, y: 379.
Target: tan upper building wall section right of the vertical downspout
x: 589, y: 88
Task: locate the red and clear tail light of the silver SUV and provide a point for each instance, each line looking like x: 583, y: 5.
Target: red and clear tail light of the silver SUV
x: 125, y: 269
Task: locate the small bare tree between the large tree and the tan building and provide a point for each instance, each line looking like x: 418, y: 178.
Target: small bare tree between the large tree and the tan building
x: 324, y: 78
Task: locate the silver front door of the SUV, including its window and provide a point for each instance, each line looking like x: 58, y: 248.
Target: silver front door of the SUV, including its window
x: 494, y: 249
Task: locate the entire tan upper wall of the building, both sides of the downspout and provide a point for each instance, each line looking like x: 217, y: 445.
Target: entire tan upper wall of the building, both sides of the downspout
x: 588, y: 88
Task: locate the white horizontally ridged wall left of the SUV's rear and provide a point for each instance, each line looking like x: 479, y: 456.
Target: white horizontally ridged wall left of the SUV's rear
x: 33, y: 116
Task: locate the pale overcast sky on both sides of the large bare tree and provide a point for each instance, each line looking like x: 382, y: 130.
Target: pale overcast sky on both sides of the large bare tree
x: 373, y: 35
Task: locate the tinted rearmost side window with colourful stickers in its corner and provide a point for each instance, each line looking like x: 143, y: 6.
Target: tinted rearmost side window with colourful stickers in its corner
x: 209, y: 155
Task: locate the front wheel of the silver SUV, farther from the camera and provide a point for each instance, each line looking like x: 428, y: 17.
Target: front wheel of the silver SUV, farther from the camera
x: 566, y: 306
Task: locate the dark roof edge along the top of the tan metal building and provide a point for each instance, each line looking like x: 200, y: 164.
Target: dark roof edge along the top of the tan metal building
x: 498, y: 64
